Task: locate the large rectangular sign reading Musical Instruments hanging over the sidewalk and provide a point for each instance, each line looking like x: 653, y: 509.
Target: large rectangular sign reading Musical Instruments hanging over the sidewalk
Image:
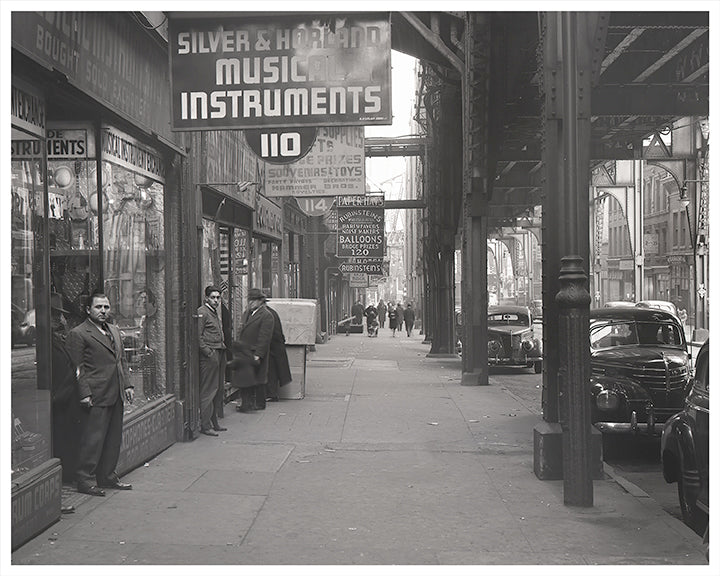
x: 285, y: 70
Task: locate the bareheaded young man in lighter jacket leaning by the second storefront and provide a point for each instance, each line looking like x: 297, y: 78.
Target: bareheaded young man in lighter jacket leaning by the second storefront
x: 212, y: 352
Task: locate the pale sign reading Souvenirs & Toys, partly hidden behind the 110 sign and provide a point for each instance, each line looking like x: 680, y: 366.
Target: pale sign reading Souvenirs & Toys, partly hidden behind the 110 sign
x: 334, y: 166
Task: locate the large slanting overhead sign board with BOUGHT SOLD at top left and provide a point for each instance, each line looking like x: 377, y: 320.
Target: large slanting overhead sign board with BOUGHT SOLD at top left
x: 105, y: 54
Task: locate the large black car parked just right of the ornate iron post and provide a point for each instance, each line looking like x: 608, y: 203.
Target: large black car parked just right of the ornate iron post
x: 639, y: 369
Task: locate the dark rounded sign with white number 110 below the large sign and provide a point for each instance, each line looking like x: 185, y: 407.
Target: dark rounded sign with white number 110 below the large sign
x: 281, y: 146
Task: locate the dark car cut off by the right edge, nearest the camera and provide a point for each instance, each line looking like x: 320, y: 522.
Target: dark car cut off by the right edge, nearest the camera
x: 684, y: 448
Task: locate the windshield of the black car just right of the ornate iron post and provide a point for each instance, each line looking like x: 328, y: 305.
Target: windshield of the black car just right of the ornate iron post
x: 606, y: 334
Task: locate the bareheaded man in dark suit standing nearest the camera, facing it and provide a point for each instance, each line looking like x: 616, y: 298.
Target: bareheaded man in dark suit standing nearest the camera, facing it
x: 96, y: 348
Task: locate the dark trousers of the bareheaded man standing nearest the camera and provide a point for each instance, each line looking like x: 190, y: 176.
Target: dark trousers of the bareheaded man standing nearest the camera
x: 100, y: 443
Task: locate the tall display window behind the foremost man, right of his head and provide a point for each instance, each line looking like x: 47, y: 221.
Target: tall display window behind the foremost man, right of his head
x: 134, y: 273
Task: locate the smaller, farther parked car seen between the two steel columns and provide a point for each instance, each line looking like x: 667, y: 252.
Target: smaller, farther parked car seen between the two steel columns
x: 511, y: 338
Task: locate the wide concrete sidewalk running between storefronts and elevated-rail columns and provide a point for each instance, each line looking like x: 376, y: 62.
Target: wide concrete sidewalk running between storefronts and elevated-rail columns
x: 387, y: 460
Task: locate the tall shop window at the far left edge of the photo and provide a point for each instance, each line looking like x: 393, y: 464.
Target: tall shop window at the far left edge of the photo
x: 31, y: 438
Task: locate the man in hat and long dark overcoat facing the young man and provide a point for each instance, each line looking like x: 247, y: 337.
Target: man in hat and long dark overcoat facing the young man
x: 257, y: 330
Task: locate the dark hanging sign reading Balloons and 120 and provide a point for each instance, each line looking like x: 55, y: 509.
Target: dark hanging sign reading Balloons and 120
x: 361, y: 226
